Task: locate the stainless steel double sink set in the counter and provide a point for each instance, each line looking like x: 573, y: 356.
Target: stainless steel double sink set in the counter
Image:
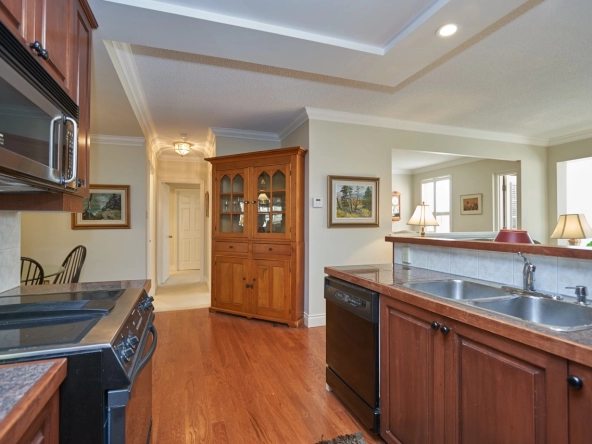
x: 538, y: 309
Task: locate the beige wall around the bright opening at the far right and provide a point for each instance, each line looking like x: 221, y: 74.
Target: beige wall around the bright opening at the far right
x: 561, y: 153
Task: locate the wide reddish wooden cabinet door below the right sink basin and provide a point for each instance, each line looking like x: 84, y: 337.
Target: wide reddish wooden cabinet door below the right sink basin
x: 501, y: 391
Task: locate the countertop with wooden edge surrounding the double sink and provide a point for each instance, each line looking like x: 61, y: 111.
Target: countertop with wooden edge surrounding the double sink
x: 576, y: 346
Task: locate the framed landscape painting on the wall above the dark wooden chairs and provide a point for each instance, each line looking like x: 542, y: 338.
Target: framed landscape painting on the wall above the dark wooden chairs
x: 107, y: 207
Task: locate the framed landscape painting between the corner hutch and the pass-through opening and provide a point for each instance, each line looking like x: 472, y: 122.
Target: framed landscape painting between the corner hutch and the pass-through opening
x: 353, y: 201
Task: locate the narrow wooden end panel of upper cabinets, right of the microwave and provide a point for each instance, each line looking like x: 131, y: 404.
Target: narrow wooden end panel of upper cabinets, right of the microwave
x: 80, y: 75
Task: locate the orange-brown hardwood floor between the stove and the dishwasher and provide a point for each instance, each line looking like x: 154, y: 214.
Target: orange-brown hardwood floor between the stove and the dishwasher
x: 225, y: 379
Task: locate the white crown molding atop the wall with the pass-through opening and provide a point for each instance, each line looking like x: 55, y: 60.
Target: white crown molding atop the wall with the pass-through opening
x: 407, y: 125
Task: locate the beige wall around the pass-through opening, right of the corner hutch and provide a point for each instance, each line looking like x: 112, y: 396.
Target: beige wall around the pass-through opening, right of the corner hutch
x: 357, y: 150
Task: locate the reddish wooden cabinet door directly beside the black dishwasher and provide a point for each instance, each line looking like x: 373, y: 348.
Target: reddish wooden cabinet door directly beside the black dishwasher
x: 411, y: 372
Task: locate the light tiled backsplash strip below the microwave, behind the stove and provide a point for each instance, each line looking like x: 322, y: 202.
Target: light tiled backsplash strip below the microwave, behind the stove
x: 10, y: 249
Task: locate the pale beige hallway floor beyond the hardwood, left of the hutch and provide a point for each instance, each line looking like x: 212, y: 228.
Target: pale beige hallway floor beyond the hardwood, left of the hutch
x: 182, y: 291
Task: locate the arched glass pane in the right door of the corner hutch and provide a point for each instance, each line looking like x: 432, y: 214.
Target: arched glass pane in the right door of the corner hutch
x: 271, y: 202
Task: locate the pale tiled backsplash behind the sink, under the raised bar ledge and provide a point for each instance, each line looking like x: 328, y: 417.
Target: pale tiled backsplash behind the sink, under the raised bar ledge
x: 552, y: 274
